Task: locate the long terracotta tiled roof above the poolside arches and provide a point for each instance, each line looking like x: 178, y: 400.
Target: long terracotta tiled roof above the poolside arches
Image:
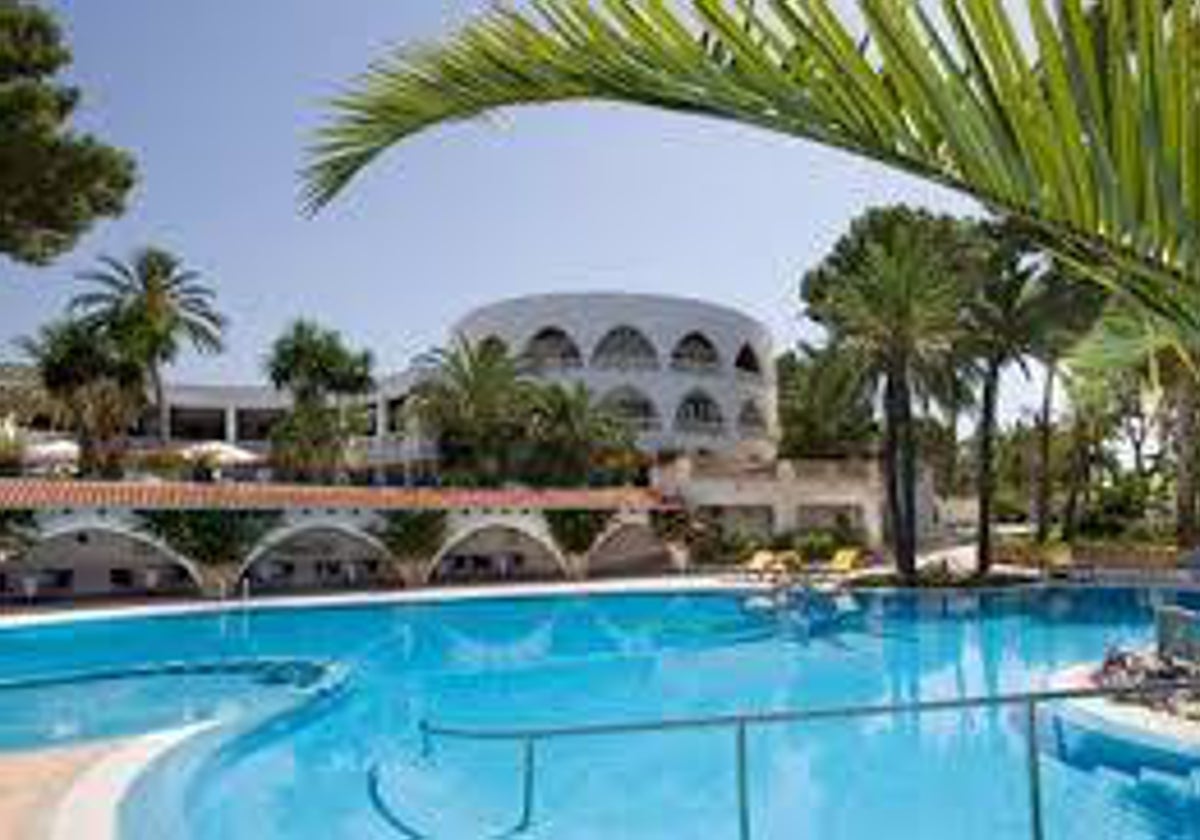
x: 43, y: 495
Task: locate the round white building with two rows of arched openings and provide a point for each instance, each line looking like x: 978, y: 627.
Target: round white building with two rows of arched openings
x: 687, y: 375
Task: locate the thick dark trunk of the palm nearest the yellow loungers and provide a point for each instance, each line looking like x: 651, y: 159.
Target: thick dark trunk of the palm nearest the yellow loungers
x: 901, y: 467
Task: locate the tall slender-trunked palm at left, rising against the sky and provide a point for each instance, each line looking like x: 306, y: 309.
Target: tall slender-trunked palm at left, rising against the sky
x: 154, y: 305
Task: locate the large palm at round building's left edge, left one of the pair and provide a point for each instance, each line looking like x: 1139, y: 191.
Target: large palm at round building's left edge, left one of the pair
x: 477, y: 401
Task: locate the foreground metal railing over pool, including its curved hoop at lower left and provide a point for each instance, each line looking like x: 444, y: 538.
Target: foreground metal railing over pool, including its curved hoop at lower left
x: 529, y: 741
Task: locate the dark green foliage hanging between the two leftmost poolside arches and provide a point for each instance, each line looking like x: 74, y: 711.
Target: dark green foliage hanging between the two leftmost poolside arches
x: 215, y: 538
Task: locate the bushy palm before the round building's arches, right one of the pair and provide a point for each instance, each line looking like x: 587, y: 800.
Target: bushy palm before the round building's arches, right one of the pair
x: 569, y: 433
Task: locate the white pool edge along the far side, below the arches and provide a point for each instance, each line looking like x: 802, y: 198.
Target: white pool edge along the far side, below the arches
x: 667, y: 585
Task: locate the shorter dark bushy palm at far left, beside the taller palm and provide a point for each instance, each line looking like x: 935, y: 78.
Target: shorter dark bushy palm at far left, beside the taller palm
x: 97, y: 388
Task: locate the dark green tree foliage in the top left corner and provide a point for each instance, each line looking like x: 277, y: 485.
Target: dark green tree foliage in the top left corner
x: 55, y: 183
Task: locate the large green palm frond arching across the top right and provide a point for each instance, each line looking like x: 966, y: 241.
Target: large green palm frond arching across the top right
x: 1087, y: 130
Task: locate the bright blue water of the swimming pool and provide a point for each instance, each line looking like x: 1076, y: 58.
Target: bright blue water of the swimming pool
x: 338, y: 754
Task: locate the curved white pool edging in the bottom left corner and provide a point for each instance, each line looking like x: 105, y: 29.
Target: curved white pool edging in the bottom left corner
x: 92, y: 807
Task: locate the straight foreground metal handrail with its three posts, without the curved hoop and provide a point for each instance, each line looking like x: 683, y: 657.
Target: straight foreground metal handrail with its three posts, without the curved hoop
x: 742, y: 723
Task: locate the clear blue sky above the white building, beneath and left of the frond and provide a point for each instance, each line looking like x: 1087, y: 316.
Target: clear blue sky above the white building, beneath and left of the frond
x: 219, y: 99
